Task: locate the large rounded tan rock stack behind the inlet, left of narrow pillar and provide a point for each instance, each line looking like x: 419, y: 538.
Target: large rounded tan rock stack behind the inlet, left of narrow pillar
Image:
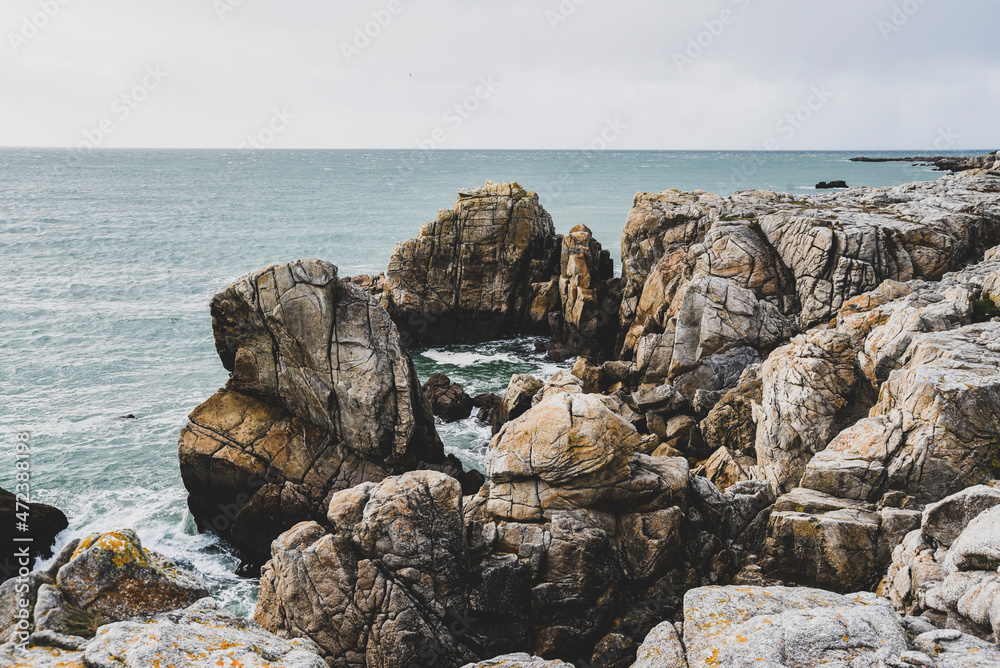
x: 468, y: 276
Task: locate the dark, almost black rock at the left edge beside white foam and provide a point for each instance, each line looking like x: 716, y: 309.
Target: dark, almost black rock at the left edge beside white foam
x: 43, y: 523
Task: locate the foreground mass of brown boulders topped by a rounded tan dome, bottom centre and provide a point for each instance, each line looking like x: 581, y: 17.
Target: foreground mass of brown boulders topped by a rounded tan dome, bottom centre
x: 571, y: 537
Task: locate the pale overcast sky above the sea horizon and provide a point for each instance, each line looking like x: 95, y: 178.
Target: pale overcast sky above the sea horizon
x: 920, y: 75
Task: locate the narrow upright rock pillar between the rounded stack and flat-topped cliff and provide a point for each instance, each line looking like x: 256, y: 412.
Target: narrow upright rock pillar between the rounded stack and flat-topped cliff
x: 589, y: 302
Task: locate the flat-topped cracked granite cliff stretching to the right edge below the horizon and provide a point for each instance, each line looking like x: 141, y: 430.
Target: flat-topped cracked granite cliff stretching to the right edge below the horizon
x: 773, y: 263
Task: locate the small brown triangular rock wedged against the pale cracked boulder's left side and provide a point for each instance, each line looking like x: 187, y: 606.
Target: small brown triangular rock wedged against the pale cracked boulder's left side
x: 730, y: 424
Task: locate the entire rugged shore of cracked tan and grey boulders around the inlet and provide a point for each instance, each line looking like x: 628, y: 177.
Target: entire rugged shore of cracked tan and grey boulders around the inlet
x: 779, y: 445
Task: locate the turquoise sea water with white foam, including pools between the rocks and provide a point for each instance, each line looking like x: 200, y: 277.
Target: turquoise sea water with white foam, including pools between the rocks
x: 110, y: 259
